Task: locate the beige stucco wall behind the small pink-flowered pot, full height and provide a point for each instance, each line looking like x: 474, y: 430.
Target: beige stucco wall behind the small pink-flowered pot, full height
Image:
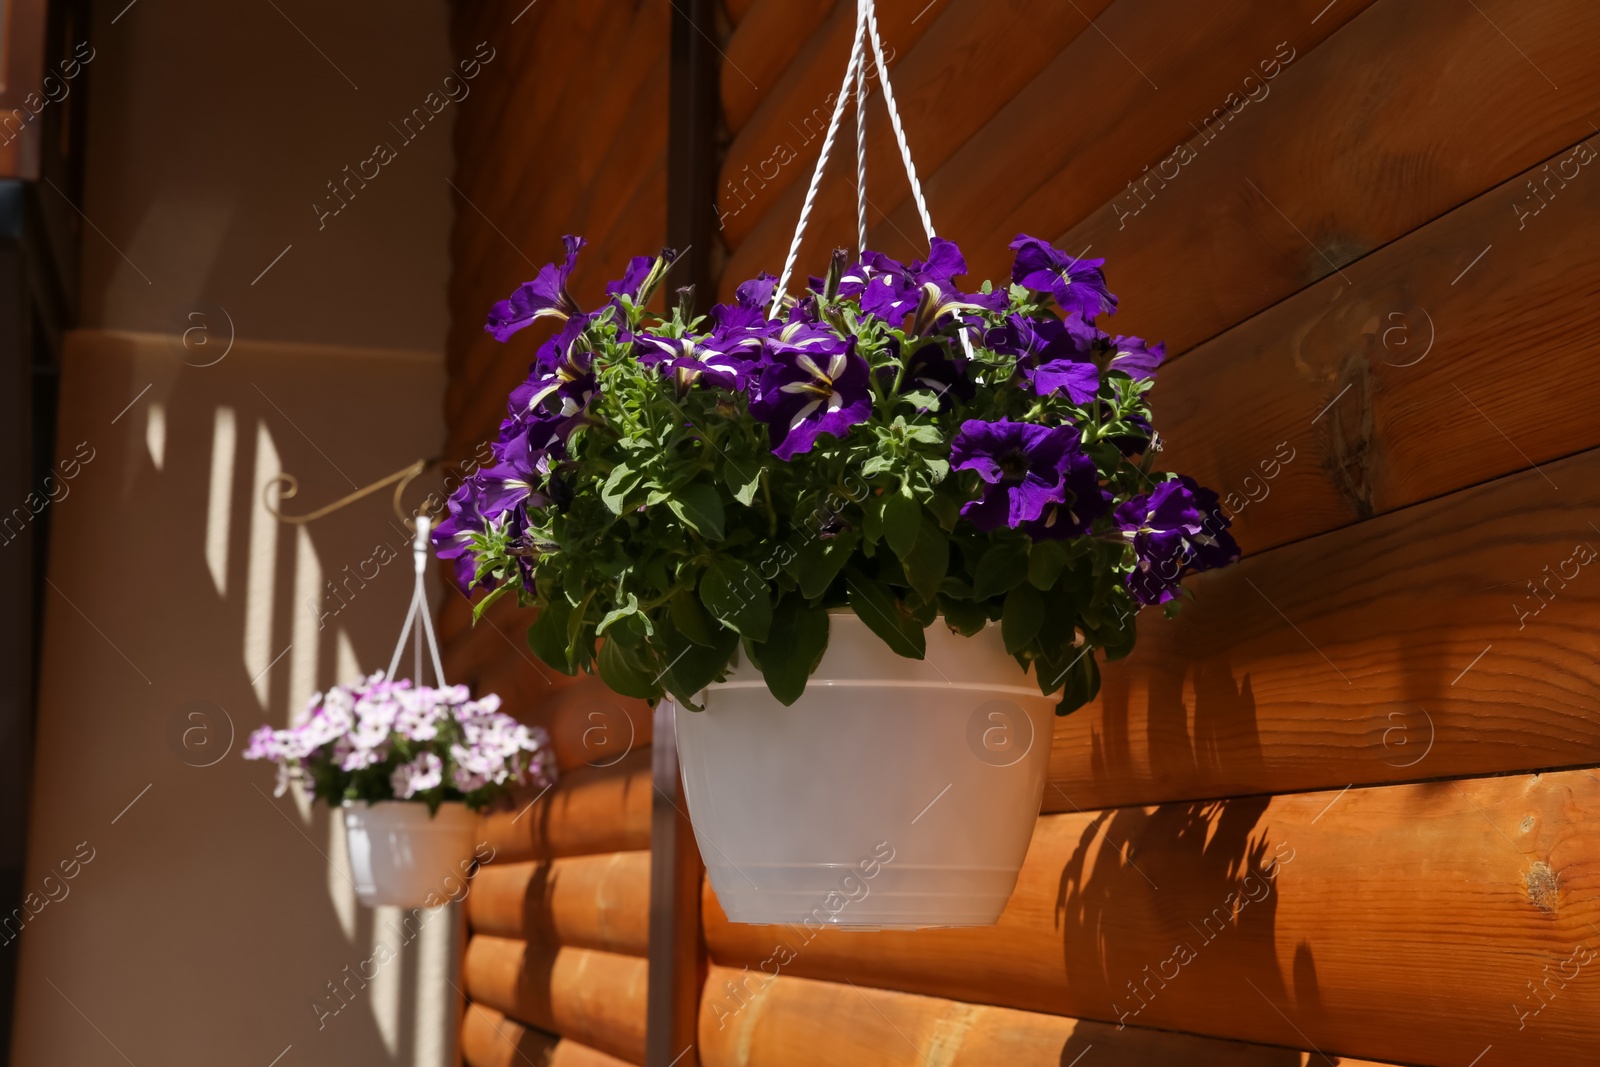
x: 212, y: 916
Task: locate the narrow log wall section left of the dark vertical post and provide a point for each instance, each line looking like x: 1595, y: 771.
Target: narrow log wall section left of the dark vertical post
x: 564, y: 134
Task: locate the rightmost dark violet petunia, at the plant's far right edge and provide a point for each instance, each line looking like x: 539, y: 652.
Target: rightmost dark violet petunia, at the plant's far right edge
x: 1178, y: 529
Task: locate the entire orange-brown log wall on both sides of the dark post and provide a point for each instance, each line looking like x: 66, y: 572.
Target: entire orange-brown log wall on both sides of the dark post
x: 1337, y: 813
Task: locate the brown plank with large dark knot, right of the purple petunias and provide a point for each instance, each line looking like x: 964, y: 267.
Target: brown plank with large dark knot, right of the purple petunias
x: 1388, y: 383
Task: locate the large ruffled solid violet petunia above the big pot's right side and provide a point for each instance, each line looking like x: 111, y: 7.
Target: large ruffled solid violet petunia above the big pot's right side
x: 1031, y: 474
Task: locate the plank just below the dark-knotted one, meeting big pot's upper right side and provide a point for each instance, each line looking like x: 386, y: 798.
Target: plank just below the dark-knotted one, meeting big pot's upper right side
x: 1386, y: 652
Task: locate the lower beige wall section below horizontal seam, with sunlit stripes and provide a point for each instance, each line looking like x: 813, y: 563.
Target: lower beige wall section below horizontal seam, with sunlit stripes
x: 215, y: 922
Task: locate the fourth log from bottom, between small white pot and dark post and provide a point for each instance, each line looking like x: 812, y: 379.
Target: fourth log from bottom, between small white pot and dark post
x: 591, y: 810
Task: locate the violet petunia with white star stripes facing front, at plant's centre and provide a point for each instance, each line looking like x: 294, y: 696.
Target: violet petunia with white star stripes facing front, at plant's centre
x: 812, y: 383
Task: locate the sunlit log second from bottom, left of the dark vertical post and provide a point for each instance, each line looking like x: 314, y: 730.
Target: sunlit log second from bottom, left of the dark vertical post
x: 596, y: 999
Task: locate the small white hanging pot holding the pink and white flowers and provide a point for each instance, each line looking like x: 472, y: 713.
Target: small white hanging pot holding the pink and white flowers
x: 404, y: 857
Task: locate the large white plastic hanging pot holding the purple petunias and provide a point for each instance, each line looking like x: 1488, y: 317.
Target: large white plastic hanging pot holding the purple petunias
x: 894, y: 794
